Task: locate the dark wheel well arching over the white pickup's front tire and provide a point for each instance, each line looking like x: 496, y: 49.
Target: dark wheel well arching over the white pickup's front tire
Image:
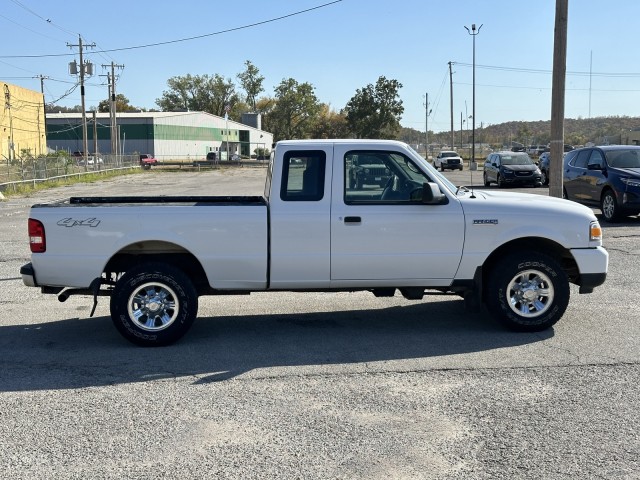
x: 541, y: 245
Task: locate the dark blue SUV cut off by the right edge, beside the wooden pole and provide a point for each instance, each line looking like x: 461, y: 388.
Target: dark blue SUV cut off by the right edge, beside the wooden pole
x: 607, y: 176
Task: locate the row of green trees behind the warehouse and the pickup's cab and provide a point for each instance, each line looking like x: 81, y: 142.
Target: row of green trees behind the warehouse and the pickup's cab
x: 292, y: 111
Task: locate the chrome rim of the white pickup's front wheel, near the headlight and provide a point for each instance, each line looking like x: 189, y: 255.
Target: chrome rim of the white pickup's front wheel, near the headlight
x: 530, y: 293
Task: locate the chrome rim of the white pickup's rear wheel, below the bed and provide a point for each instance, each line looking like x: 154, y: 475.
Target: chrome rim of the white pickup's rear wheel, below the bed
x: 153, y: 307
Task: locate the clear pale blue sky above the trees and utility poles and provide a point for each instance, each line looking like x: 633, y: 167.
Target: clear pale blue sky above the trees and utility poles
x: 339, y: 46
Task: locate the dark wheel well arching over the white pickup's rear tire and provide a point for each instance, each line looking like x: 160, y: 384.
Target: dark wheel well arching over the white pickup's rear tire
x: 163, y: 252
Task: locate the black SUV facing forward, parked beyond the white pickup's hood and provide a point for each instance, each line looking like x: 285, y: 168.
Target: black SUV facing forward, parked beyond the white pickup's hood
x: 511, y: 168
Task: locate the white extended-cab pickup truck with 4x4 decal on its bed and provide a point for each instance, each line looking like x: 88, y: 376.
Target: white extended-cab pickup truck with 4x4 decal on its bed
x: 314, y: 231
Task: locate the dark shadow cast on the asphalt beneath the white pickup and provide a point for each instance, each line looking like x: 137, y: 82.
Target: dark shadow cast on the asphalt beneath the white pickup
x: 78, y: 353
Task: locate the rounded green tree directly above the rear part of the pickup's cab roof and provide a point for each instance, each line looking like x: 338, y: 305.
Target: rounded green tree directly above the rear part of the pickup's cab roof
x: 294, y: 111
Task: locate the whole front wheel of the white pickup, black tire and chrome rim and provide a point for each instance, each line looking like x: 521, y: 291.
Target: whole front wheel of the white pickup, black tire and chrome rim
x: 527, y: 292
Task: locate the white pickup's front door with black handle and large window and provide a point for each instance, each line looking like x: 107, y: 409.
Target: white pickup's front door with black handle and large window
x: 379, y: 236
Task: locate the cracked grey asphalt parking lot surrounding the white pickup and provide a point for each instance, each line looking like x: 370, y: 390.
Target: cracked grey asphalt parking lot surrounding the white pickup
x: 293, y: 385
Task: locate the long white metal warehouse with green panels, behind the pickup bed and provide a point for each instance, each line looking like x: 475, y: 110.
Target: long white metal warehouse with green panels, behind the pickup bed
x: 165, y: 135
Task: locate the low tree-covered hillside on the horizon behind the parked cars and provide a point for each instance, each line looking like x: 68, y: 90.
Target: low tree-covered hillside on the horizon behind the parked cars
x: 599, y: 130
